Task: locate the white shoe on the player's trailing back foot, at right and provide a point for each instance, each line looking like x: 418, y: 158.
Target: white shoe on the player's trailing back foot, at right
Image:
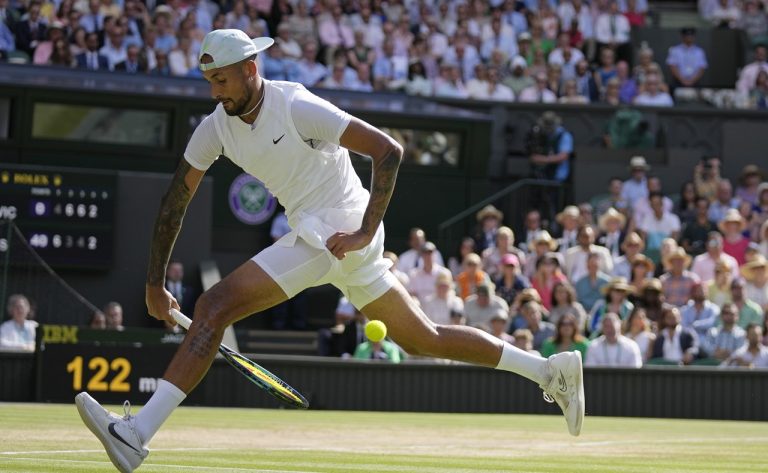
x: 566, y: 388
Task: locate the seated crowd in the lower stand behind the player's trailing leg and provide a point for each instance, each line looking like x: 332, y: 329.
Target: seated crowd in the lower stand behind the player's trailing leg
x: 637, y: 276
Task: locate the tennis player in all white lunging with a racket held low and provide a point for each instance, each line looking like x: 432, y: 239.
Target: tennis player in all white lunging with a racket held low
x: 297, y: 144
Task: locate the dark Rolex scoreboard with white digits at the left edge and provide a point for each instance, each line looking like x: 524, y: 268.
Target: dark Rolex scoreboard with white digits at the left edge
x: 65, y: 214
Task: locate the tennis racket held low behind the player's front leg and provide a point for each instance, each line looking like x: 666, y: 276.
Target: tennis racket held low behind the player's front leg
x: 255, y: 373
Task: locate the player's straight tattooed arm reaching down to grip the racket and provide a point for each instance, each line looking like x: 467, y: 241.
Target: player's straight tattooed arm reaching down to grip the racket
x: 167, y: 226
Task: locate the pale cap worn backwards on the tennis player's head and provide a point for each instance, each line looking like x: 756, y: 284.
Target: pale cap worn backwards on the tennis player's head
x: 230, y: 46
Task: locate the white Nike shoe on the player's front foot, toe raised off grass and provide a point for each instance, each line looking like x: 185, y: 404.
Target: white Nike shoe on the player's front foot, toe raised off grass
x: 117, y: 434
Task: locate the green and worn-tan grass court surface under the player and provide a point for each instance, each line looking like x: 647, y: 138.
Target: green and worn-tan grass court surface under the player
x: 51, y: 438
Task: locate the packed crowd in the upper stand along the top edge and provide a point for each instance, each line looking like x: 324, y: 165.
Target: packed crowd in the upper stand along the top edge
x: 567, y: 51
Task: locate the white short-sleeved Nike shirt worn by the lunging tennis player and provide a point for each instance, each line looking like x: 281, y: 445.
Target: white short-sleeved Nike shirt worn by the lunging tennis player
x: 292, y: 147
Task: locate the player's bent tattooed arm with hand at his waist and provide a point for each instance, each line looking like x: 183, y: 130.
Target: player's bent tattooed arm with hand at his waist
x: 387, y: 155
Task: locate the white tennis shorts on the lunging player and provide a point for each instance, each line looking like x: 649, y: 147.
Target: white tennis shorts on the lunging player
x: 300, y: 259
